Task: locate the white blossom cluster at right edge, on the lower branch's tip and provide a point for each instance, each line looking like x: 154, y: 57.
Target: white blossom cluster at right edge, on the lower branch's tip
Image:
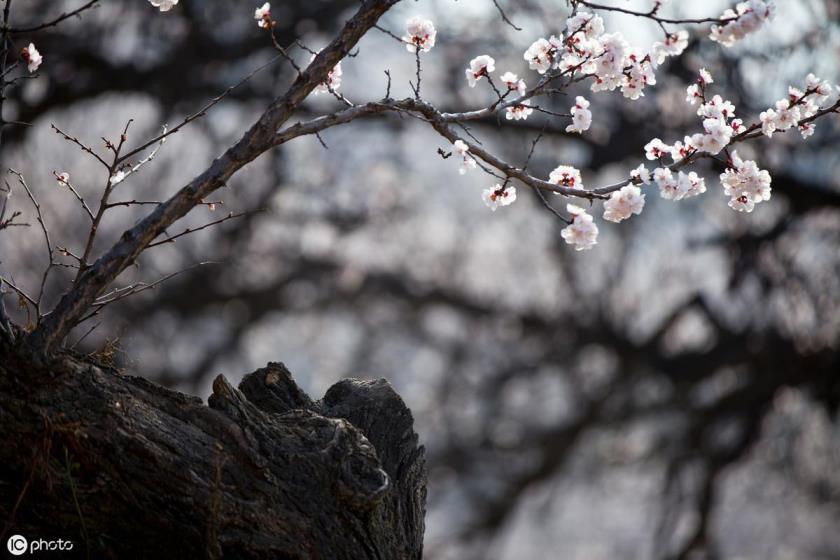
x: 797, y: 106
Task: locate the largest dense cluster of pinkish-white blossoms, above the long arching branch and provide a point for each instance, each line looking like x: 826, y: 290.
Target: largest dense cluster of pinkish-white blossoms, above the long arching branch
x: 605, y: 56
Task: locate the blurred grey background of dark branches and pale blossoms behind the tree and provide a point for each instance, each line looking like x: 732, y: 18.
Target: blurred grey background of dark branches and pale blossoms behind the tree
x: 672, y: 393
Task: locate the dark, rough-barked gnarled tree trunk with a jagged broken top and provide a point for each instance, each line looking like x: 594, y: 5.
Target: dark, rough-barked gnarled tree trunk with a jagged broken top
x: 127, y: 469
